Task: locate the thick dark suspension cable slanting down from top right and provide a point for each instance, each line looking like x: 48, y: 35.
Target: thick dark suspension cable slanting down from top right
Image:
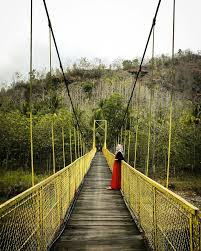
x: 140, y: 66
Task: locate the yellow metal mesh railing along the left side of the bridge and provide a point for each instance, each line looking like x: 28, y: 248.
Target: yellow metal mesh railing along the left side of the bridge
x: 31, y: 220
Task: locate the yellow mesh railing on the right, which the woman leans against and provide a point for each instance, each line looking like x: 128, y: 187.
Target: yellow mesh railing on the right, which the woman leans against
x: 168, y: 221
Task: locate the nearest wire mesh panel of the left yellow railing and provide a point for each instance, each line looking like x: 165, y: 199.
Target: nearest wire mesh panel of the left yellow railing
x: 15, y: 235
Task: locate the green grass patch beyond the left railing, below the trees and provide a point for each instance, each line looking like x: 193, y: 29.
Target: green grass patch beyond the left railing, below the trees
x: 15, y: 182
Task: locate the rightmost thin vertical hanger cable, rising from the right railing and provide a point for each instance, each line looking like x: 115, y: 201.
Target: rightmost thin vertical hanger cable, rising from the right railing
x: 171, y: 95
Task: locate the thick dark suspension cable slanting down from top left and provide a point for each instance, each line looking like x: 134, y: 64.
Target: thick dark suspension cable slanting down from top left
x: 61, y: 67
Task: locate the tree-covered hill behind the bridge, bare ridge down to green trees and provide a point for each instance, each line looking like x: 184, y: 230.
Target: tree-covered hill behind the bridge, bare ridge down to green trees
x: 102, y: 92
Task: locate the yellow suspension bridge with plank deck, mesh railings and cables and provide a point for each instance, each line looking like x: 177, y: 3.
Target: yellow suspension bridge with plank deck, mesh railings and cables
x: 73, y: 210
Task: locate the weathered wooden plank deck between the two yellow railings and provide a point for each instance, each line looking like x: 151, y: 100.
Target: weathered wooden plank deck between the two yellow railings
x: 100, y: 219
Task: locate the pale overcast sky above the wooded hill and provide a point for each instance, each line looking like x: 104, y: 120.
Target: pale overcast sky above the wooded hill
x: 106, y: 29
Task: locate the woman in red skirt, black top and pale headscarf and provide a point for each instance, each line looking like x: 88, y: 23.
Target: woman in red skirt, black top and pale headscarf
x: 116, y: 170
